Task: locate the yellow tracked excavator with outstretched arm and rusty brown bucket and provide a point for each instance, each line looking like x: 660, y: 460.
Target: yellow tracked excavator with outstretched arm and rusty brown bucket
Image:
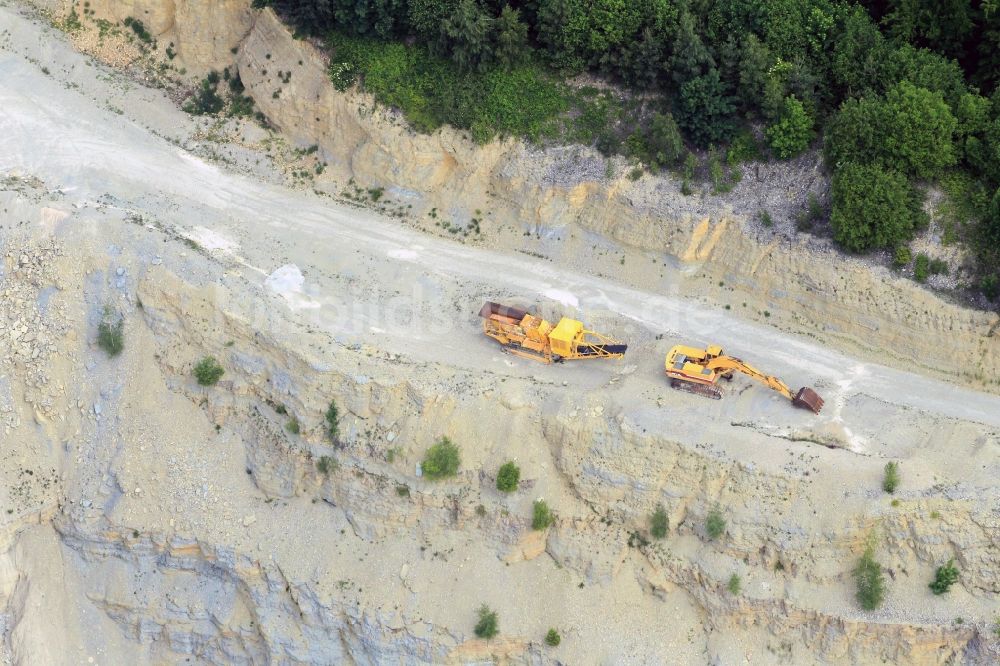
x: 699, y: 370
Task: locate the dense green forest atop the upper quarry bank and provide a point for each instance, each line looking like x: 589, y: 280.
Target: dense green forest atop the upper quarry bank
x: 899, y: 93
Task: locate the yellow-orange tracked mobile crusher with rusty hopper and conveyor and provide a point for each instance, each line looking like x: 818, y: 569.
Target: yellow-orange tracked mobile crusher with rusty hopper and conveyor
x: 524, y: 334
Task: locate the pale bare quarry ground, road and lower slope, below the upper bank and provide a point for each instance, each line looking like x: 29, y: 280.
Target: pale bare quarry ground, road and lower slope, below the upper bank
x: 161, y: 520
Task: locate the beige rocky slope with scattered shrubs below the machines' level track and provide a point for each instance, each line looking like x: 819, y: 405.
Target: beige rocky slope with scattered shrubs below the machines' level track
x: 223, y: 565
